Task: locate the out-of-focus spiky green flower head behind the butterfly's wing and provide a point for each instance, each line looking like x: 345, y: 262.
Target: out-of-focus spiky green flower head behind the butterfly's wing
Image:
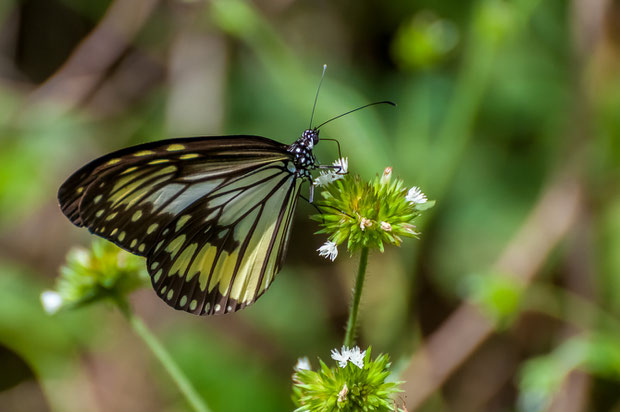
x: 103, y: 271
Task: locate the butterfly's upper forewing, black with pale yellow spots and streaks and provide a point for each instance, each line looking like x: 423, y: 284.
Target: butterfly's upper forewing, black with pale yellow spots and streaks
x: 131, y: 195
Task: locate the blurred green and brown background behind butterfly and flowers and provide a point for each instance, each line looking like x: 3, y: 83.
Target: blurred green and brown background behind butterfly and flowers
x: 497, y: 101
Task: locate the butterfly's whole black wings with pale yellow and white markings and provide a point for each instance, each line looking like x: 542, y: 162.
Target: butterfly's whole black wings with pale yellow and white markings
x: 212, y: 215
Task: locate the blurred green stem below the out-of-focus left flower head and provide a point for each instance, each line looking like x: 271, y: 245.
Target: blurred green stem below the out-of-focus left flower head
x: 164, y: 357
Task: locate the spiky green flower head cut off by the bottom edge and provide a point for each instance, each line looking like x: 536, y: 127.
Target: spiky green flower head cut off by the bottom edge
x: 357, y: 384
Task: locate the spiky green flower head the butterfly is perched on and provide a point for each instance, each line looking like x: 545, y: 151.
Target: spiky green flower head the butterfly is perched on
x: 368, y: 214
